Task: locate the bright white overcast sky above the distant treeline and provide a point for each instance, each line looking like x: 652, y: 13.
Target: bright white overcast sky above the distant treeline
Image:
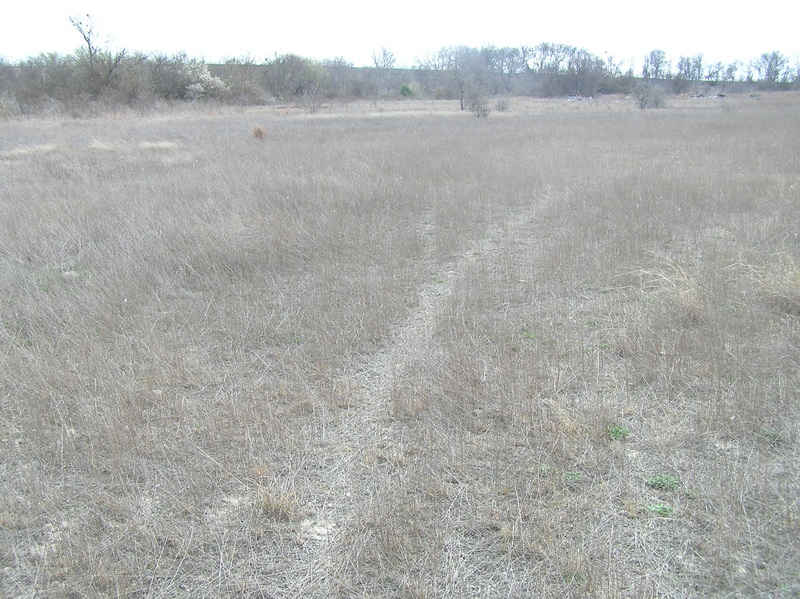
x: 354, y: 29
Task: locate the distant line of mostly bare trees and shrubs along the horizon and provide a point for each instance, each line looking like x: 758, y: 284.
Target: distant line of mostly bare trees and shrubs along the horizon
x: 94, y: 78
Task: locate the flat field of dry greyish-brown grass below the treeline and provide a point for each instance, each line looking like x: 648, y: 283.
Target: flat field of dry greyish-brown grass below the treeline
x: 403, y: 353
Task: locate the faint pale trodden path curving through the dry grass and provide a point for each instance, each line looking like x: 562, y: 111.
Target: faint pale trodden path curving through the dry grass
x: 369, y: 425
